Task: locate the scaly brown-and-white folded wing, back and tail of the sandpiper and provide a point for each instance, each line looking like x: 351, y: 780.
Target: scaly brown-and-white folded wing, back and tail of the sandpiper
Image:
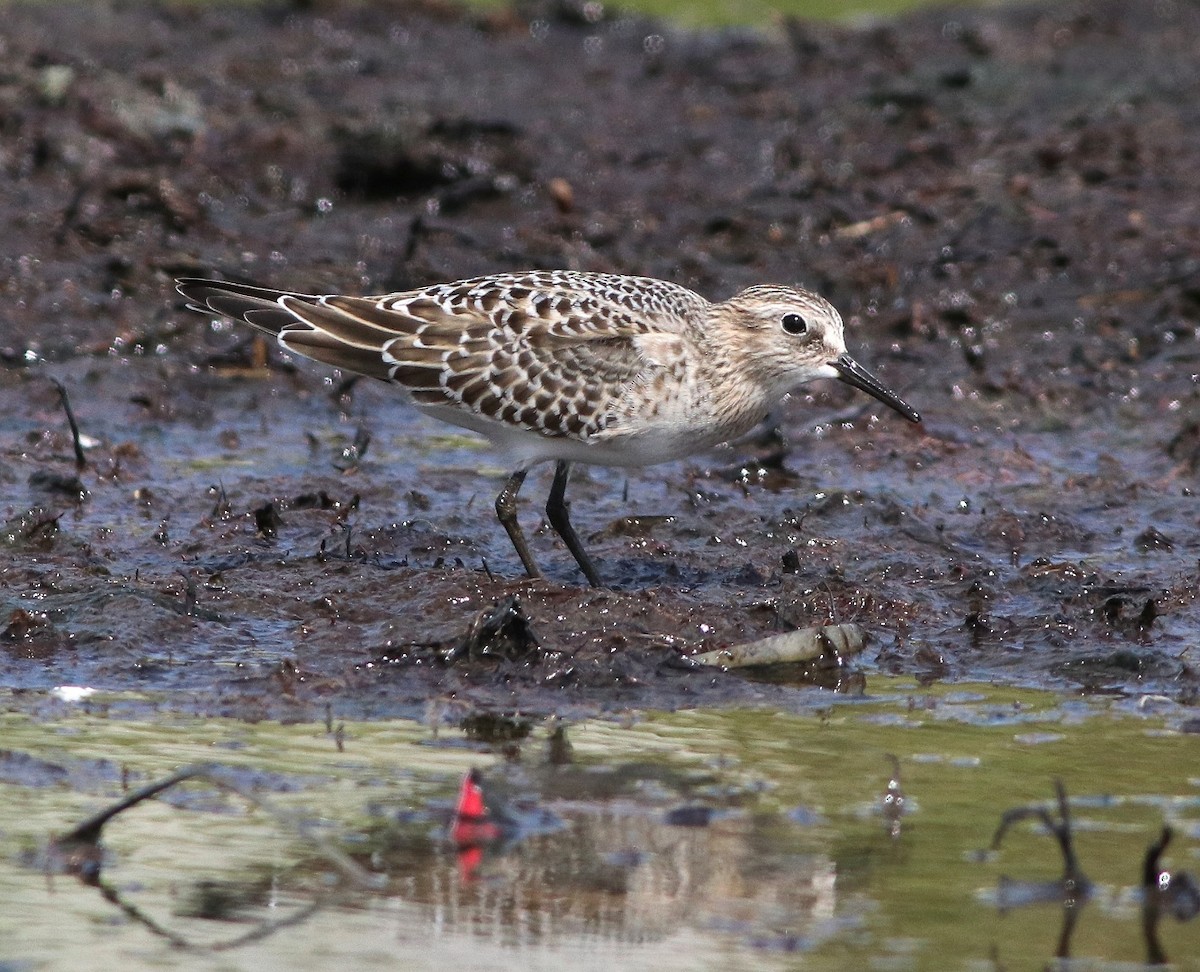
x: 554, y: 352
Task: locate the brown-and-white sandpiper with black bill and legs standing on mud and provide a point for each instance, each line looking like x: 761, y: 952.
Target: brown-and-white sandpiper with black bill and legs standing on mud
x: 568, y: 367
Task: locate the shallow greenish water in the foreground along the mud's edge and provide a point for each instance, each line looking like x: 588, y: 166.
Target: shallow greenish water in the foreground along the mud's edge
x: 790, y: 861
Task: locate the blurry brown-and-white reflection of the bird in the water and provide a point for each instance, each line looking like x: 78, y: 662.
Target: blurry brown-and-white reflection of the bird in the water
x: 616, y: 873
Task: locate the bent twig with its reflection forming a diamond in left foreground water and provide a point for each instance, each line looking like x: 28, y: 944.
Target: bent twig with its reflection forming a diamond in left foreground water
x: 81, y: 850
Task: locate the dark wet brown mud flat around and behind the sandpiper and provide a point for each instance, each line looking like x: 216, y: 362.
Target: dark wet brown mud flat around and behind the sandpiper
x: 1003, y: 205
